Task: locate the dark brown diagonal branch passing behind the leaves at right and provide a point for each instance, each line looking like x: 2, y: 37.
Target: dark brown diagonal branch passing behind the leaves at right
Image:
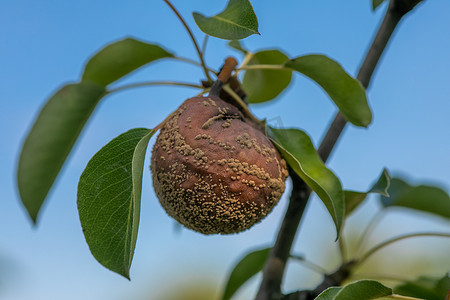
x: 273, y: 272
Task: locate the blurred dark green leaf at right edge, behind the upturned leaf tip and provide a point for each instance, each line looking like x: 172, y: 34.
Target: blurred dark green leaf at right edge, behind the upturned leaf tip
x: 422, y: 197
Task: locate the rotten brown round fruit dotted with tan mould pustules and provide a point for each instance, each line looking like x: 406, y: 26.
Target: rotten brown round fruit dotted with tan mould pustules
x: 213, y: 170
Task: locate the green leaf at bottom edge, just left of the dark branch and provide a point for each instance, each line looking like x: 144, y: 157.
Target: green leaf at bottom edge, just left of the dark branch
x: 245, y: 269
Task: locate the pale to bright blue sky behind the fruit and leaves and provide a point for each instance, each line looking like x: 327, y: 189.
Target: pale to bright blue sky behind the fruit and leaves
x: 44, y: 44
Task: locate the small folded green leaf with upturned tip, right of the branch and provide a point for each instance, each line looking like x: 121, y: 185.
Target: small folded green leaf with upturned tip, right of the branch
x: 354, y: 199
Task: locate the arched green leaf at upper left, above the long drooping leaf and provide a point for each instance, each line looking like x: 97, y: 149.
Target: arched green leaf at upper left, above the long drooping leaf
x: 120, y: 58
